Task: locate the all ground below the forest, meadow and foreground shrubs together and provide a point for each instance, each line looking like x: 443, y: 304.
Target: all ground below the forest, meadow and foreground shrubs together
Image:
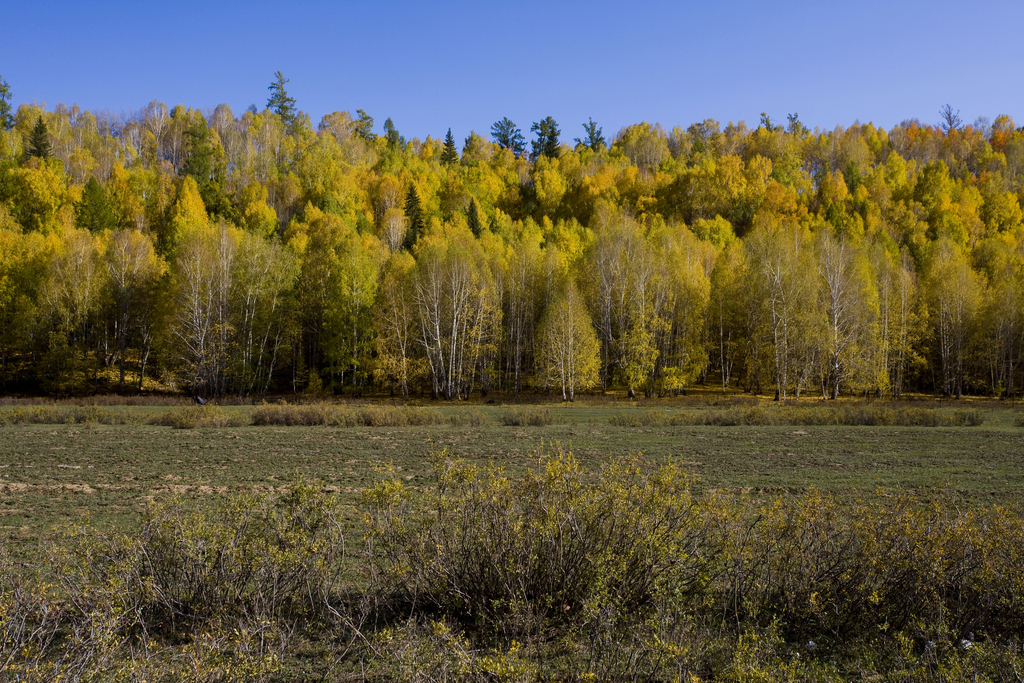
x: 700, y: 539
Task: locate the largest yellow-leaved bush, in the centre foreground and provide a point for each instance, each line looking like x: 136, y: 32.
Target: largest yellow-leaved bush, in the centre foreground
x: 486, y: 549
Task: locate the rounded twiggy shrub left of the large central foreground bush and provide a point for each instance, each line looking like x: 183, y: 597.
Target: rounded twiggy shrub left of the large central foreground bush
x: 258, y: 558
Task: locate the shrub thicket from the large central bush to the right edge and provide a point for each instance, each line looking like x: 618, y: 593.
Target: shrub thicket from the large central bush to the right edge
x: 632, y: 577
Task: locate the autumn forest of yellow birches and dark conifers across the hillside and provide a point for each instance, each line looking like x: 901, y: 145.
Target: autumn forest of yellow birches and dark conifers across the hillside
x: 251, y: 254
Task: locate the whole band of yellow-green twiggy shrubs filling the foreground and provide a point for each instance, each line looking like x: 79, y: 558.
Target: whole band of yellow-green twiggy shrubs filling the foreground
x: 625, y: 573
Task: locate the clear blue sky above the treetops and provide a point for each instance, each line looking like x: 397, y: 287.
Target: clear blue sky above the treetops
x: 465, y: 65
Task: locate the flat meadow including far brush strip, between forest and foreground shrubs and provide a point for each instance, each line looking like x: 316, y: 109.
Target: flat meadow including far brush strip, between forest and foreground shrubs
x: 67, y: 462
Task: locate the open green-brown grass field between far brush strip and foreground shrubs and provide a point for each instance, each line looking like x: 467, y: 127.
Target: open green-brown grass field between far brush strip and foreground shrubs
x: 54, y: 475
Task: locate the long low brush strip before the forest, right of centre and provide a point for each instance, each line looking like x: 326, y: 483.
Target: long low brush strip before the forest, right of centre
x: 838, y: 415
